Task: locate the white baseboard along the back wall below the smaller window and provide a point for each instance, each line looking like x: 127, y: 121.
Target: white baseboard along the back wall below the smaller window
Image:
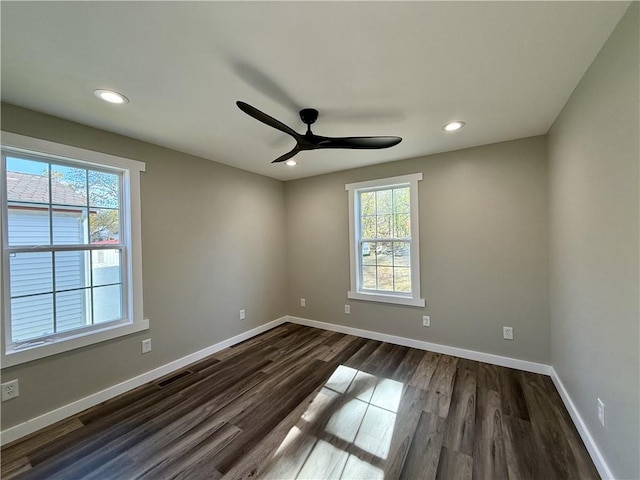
x: 432, y: 347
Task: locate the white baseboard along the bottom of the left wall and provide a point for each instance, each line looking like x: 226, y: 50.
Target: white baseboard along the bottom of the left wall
x: 23, y: 429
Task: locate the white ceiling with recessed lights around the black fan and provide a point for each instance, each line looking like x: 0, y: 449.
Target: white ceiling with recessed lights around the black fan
x: 370, y: 68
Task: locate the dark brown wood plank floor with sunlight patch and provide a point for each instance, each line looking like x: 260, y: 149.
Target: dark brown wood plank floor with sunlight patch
x: 298, y: 402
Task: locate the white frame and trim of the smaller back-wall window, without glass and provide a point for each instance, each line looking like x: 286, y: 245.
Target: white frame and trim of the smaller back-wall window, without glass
x: 356, y: 291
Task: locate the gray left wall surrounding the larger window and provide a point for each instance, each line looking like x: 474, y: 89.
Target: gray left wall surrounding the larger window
x: 212, y: 243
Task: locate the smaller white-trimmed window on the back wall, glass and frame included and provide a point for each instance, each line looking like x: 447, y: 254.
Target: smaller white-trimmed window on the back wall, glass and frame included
x: 384, y: 246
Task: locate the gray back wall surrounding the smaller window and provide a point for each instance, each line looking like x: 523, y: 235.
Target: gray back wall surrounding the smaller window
x: 483, y: 249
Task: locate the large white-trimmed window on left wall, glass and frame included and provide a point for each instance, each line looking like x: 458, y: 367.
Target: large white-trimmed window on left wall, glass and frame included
x: 71, y: 260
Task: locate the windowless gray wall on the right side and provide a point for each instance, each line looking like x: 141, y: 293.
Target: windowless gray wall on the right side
x: 594, y: 244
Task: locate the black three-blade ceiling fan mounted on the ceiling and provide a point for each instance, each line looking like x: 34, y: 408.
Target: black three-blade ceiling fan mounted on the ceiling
x: 310, y: 141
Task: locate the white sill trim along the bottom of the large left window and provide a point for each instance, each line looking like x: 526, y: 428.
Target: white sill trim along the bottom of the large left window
x: 28, y: 354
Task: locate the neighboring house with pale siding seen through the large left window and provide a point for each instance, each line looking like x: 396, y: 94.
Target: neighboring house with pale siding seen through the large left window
x: 31, y: 223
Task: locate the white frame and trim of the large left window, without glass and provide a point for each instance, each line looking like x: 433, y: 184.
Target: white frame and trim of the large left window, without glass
x: 133, y: 320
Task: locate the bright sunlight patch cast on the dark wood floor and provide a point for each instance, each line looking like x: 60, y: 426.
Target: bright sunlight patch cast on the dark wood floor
x: 345, y: 433
